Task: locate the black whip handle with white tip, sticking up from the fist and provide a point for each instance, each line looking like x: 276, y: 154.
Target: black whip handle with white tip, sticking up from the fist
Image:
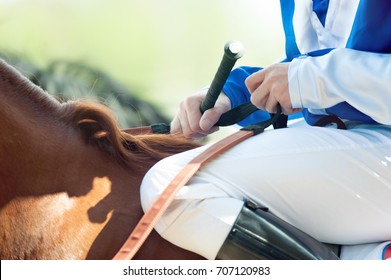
x: 233, y: 50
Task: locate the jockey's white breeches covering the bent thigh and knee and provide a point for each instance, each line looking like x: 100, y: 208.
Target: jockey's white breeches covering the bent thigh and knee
x: 335, y: 185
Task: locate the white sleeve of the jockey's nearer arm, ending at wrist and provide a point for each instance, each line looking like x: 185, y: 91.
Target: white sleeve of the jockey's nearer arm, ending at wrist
x: 362, y: 79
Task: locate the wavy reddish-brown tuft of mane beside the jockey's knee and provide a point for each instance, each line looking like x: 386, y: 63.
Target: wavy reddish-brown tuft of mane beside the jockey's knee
x: 99, y: 127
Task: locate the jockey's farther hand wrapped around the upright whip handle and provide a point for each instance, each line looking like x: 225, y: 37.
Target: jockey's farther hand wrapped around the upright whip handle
x: 189, y: 120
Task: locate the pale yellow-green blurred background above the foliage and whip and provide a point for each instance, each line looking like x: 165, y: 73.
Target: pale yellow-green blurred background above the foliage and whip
x: 161, y: 50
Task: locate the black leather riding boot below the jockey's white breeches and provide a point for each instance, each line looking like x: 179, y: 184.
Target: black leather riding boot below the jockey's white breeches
x: 258, y: 234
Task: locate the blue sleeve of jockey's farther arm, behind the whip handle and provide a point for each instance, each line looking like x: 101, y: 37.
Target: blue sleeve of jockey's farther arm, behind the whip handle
x: 237, y: 92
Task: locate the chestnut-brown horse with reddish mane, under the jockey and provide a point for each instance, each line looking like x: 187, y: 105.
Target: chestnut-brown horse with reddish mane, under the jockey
x: 69, y: 177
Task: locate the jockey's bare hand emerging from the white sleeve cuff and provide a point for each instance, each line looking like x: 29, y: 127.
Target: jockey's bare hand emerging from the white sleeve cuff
x: 270, y: 86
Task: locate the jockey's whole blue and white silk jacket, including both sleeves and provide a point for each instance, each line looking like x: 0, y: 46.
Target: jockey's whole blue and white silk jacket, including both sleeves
x: 340, y: 54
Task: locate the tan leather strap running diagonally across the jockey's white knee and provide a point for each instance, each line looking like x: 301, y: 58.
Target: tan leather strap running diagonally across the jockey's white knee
x: 150, y: 218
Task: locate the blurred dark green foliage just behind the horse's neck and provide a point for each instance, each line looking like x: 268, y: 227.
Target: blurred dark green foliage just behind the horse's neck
x: 74, y: 80
